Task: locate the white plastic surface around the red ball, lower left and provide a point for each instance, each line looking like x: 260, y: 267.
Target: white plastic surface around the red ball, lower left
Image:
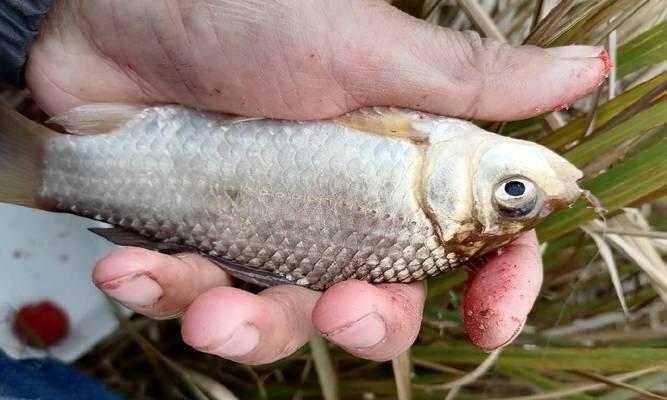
x: 50, y: 256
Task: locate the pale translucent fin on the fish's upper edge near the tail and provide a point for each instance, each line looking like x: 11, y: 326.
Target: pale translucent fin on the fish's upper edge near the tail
x: 96, y: 118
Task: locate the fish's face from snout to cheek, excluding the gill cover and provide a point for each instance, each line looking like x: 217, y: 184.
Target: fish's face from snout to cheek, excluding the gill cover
x: 516, y: 184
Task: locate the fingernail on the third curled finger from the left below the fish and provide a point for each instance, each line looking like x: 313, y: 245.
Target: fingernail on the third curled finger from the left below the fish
x: 362, y: 333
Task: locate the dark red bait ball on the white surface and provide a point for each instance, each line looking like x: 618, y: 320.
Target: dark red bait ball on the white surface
x: 41, y: 324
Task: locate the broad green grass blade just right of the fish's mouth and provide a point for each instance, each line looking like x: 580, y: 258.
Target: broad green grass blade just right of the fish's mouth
x: 627, y: 182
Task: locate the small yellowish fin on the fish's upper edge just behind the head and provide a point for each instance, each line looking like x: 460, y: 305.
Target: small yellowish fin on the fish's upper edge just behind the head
x: 385, y: 121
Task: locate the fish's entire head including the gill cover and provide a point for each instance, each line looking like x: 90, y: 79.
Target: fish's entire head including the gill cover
x: 482, y: 189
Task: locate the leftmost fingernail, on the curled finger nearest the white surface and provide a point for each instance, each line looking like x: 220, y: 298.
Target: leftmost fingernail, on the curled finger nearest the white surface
x: 134, y: 291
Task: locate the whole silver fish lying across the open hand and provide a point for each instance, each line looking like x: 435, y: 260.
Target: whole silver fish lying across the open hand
x: 380, y: 194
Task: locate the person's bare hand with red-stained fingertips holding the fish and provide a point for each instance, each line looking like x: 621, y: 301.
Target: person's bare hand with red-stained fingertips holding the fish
x: 299, y: 60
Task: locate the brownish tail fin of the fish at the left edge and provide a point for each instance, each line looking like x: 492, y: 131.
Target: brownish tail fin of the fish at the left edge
x: 22, y: 145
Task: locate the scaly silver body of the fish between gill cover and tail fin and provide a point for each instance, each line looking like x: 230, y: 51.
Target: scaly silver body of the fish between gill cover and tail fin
x: 247, y: 193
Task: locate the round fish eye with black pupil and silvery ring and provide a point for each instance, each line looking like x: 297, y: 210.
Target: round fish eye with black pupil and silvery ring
x: 515, y: 197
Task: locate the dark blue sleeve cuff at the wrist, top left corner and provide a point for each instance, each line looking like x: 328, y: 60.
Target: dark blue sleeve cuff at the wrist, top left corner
x: 19, y: 21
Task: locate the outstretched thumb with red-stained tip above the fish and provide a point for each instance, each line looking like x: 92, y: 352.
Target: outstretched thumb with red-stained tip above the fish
x: 417, y: 65
